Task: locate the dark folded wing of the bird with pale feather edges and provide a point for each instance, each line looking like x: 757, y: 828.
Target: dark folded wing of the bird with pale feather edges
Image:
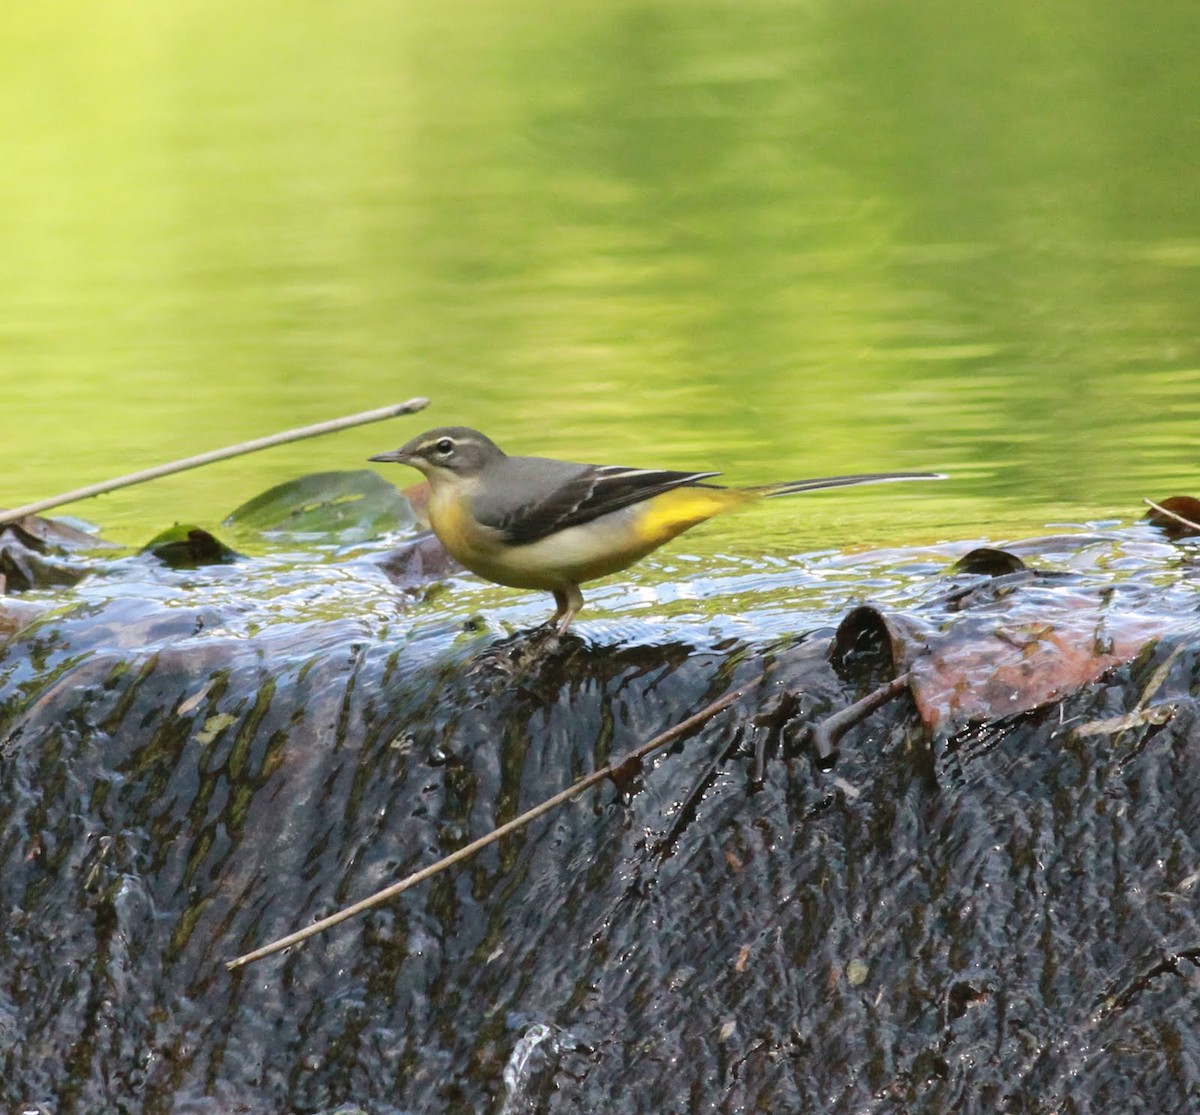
x: 533, y: 499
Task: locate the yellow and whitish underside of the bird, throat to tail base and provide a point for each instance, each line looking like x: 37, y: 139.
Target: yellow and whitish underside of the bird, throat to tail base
x: 579, y: 554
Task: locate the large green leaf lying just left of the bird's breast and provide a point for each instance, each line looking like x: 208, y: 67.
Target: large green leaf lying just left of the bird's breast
x: 349, y: 506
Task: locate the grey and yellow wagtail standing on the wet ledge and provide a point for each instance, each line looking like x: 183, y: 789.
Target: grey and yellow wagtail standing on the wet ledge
x: 532, y: 523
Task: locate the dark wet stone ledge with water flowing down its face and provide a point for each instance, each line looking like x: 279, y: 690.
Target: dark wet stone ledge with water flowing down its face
x: 1003, y: 920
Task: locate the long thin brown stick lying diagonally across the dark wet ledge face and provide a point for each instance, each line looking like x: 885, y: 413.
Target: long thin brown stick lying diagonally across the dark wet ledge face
x: 470, y: 850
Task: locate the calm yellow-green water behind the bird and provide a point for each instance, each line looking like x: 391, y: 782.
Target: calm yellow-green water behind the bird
x: 781, y: 239
